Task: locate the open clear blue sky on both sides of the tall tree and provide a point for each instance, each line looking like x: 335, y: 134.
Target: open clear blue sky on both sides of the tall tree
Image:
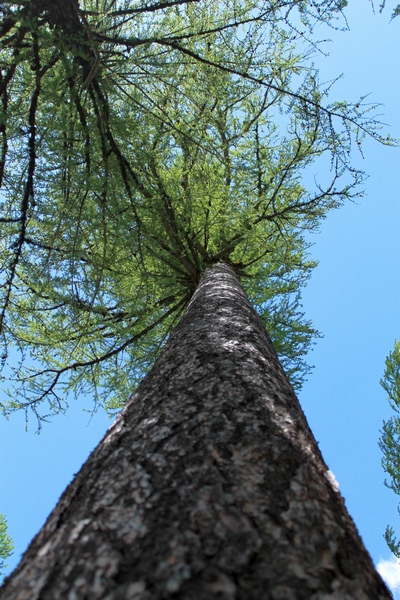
x: 353, y: 299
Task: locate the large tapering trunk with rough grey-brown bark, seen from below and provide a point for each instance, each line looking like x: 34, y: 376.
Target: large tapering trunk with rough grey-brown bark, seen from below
x: 208, y: 485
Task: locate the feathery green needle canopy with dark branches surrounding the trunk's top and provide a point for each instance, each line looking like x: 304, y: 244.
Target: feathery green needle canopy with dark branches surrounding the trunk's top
x: 140, y: 144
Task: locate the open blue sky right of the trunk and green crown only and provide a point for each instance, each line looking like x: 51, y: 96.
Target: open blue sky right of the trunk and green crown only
x: 354, y: 294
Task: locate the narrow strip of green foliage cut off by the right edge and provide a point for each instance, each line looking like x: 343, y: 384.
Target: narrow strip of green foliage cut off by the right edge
x: 390, y: 440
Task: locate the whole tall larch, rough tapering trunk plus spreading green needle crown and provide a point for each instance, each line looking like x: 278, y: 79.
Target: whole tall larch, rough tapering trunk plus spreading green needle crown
x: 150, y: 152
